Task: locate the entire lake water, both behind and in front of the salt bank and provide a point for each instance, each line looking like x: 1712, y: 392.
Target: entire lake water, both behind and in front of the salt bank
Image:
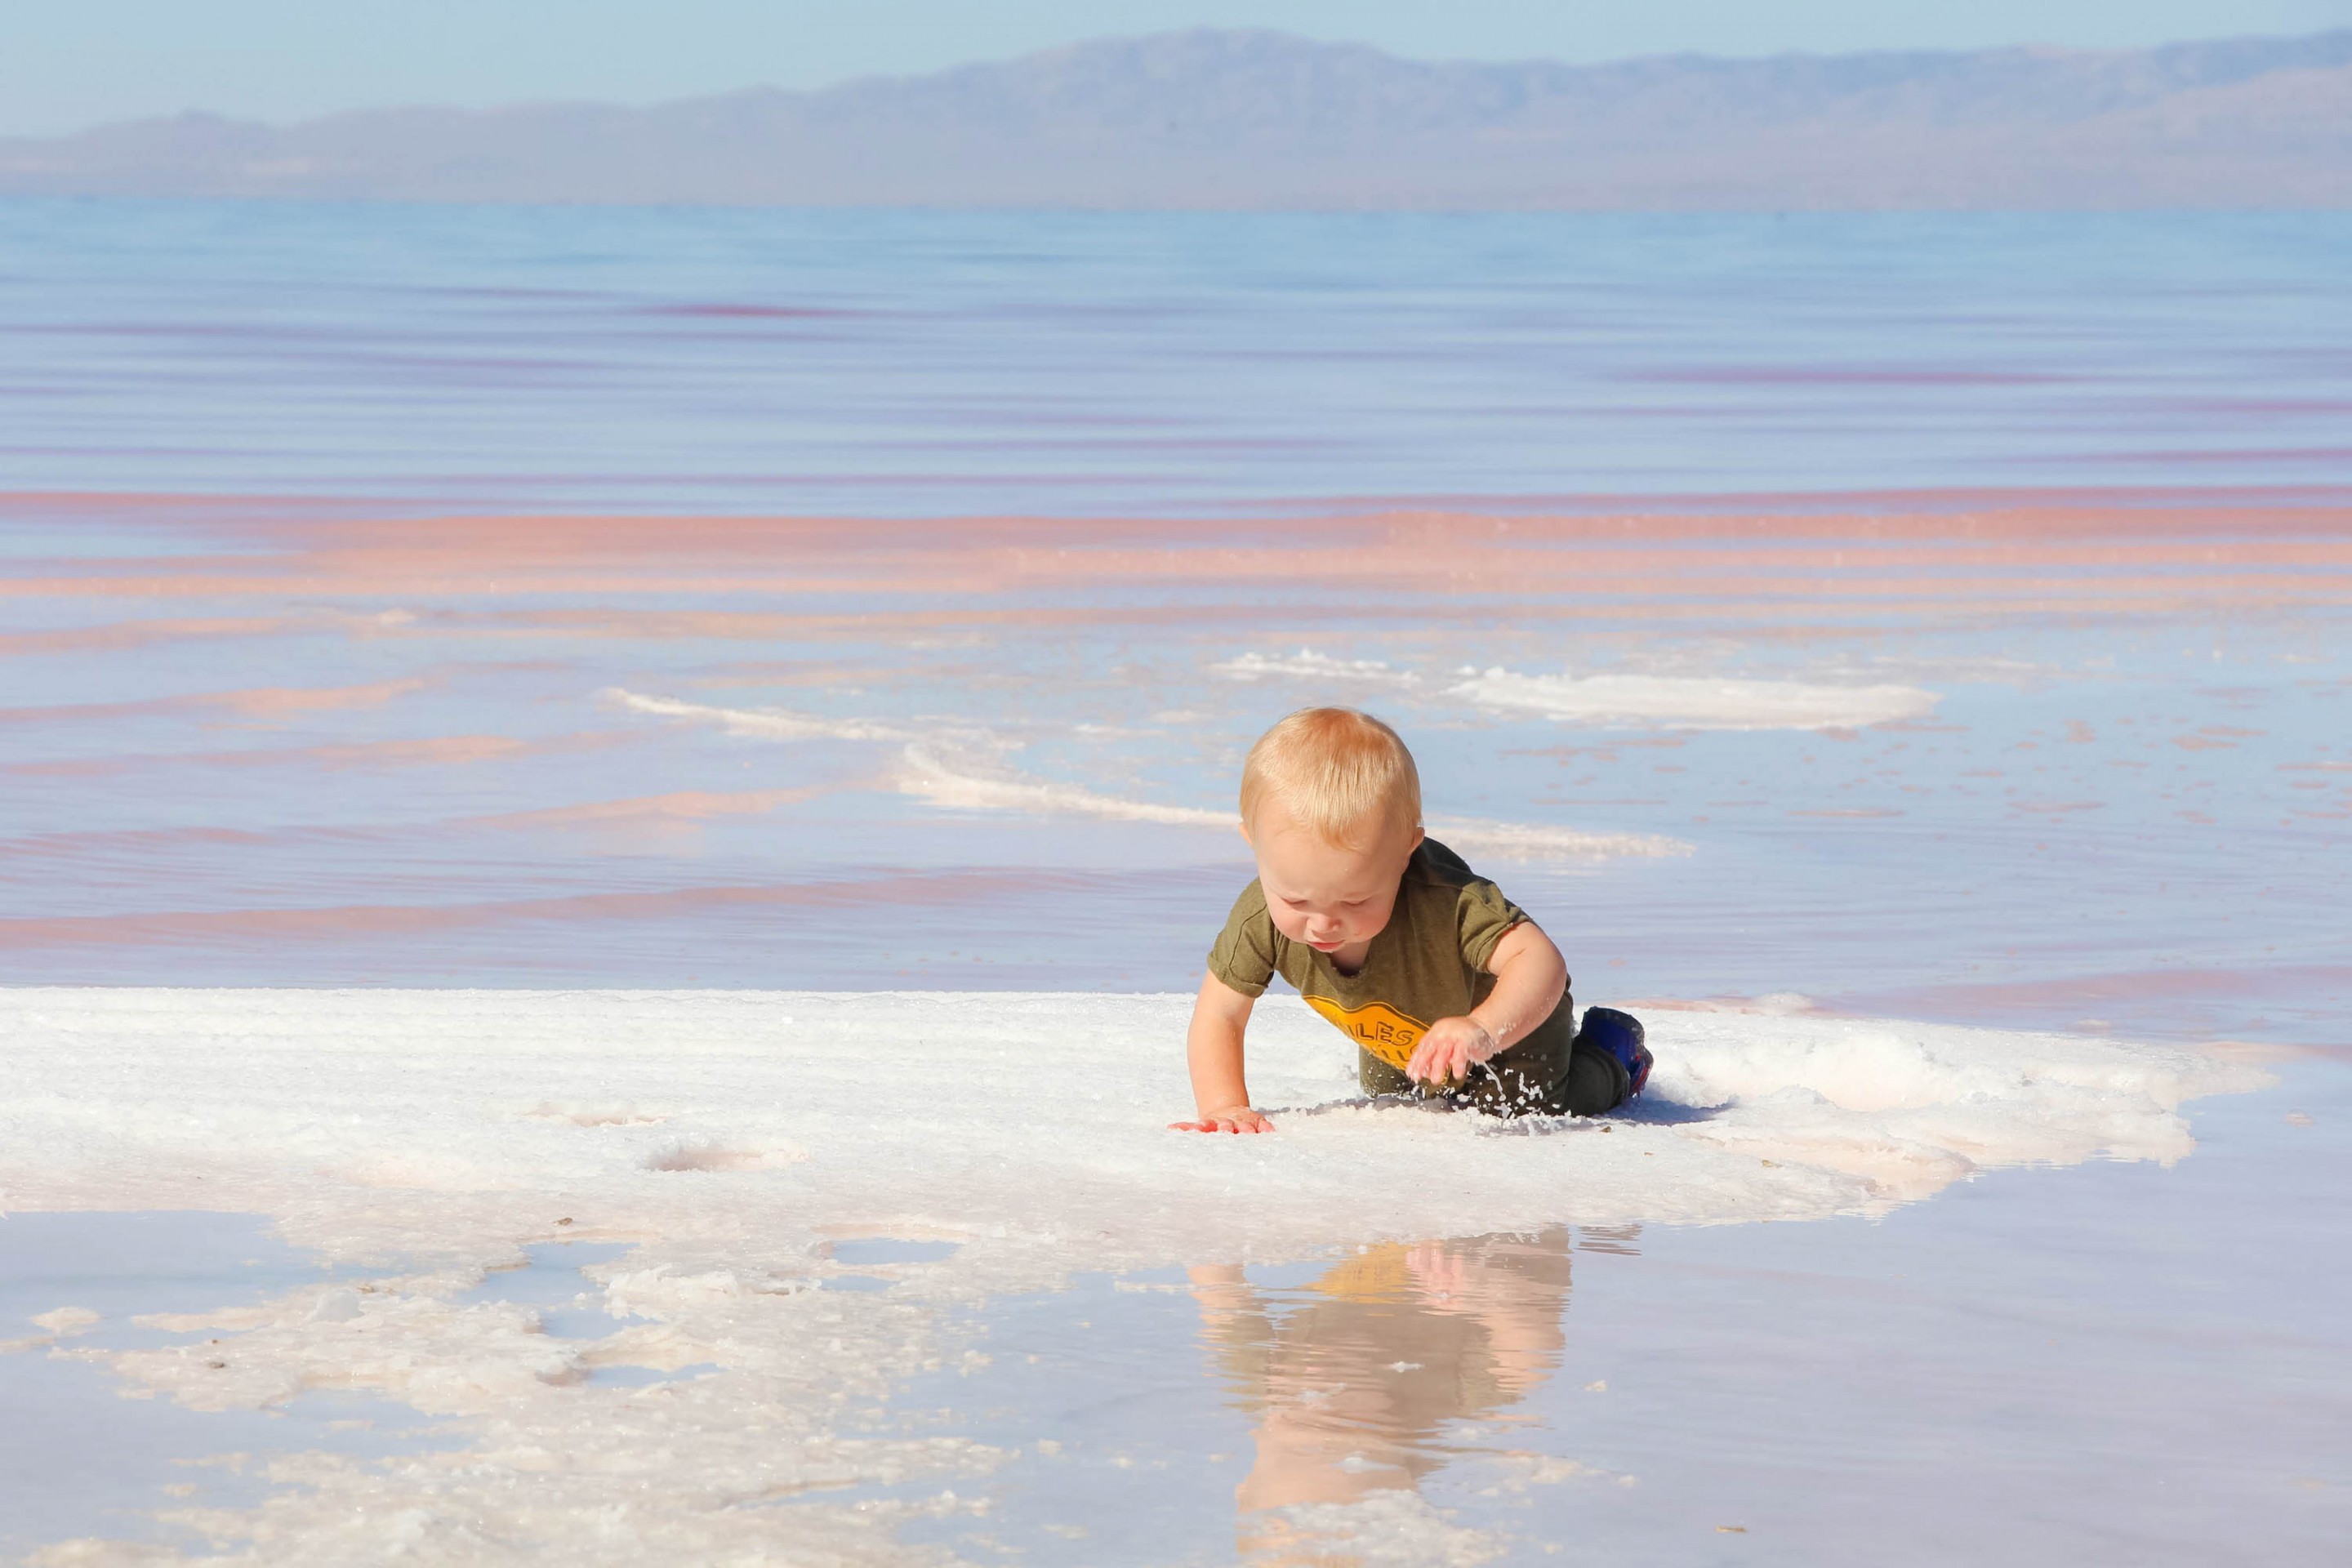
x: 1890, y: 617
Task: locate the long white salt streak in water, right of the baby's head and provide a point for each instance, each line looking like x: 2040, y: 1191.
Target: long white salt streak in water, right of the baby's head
x: 1683, y: 702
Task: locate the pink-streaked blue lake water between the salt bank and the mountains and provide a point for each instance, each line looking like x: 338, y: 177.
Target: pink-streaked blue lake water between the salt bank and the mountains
x: 1918, y: 615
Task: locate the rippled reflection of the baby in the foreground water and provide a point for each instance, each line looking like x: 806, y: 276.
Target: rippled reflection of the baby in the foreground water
x: 1354, y: 1386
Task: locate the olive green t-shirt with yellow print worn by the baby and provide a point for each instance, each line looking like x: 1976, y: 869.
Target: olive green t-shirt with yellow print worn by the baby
x: 1426, y: 965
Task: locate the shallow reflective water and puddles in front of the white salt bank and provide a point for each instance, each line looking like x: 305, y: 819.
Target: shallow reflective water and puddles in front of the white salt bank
x: 2120, y: 1365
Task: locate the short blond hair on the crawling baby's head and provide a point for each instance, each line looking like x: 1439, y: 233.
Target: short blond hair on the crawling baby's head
x: 1337, y: 772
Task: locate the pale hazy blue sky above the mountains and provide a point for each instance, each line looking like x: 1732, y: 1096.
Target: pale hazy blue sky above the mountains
x: 67, y: 65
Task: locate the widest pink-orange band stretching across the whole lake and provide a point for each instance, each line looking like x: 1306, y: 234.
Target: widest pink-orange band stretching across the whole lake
x: 2109, y: 556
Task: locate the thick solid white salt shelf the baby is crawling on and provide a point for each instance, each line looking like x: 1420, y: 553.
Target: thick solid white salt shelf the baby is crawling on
x: 389, y: 1127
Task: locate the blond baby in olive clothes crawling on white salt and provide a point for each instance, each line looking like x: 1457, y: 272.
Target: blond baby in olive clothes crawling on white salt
x: 1445, y: 986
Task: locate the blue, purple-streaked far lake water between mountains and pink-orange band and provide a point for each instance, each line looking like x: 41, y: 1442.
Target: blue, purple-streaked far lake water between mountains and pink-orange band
x: 973, y: 366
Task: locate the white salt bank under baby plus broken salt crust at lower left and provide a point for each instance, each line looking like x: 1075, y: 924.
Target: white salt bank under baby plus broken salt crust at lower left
x: 735, y: 1137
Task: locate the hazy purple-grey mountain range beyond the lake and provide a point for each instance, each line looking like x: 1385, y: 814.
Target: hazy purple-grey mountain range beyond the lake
x: 1264, y: 121
